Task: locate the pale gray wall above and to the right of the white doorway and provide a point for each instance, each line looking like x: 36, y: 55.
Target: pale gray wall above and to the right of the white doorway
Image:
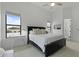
x: 73, y: 13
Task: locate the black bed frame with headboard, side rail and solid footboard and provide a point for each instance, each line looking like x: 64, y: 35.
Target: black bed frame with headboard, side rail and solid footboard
x: 49, y: 48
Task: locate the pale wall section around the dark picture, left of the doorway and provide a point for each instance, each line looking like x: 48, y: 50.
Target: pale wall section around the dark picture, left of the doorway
x: 58, y: 17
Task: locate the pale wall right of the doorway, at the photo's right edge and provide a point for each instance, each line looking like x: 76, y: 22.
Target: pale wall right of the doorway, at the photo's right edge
x: 75, y: 23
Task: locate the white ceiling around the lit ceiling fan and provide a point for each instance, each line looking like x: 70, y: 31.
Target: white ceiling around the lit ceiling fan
x: 65, y: 4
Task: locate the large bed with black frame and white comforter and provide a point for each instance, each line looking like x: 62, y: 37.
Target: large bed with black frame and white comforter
x: 47, y: 43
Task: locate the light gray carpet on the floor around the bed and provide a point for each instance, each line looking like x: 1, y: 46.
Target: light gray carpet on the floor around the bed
x: 31, y: 51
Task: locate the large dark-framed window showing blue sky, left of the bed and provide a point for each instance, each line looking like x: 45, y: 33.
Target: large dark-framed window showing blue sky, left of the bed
x: 13, y: 25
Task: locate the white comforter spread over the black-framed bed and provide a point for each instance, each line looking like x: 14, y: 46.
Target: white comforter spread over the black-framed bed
x: 44, y: 39
